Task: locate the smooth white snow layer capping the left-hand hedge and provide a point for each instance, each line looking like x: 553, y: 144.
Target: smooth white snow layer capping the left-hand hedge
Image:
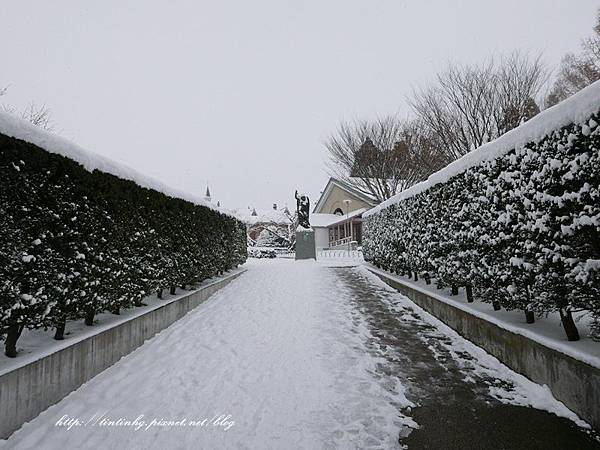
x: 21, y: 129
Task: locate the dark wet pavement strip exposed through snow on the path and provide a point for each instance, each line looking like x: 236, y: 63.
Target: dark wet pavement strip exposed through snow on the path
x: 453, y: 404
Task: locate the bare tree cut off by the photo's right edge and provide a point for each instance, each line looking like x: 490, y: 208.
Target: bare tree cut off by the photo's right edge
x: 578, y: 71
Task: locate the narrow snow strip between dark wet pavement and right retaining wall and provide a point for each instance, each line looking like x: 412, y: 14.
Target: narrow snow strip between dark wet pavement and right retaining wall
x: 509, y: 387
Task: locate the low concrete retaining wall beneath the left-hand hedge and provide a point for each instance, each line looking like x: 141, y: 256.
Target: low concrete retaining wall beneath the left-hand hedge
x: 28, y: 390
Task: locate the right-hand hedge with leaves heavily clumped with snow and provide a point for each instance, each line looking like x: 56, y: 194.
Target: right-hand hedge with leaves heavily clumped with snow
x: 519, y: 230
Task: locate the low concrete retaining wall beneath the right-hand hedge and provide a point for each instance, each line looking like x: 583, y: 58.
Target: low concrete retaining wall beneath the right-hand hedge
x: 573, y: 382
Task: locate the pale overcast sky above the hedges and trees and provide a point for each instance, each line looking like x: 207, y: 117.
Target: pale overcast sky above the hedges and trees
x: 242, y: 94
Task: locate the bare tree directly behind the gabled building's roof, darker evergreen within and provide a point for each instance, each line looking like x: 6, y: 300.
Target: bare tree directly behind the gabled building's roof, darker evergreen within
x: 380, y: 157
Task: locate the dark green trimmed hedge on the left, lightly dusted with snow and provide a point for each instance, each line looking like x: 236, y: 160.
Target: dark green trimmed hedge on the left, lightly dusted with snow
x: 76, y: 241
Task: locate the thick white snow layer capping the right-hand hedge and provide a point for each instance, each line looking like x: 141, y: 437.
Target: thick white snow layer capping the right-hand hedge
x: 575, y: 109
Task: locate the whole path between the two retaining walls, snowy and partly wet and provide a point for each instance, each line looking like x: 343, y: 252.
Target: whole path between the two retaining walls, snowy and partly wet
x: 297, y: 355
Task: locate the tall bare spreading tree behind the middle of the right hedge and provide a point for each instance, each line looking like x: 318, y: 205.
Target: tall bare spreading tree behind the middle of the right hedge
x: 470, y: 105
